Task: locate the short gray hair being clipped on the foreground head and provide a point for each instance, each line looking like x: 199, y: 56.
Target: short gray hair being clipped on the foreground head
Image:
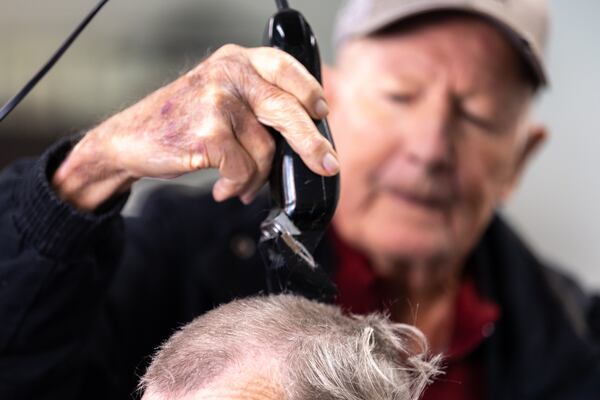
x: 321, y: 353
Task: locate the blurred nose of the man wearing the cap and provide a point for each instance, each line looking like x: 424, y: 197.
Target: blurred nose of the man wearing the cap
x: 427, y: 142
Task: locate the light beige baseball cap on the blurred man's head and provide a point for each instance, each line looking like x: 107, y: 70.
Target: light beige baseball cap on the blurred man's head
x: 525, y: 22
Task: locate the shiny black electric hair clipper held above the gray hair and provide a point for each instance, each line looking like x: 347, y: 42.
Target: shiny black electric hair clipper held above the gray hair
x: 302, y: 202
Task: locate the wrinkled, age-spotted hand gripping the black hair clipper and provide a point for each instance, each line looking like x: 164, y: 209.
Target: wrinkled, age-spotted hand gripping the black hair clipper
x: 209, y: 118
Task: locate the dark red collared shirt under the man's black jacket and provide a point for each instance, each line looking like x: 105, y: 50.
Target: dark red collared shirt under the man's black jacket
x: 464, y: 376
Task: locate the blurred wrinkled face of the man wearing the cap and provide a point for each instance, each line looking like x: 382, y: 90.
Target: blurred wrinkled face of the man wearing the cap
x: 430, y: 126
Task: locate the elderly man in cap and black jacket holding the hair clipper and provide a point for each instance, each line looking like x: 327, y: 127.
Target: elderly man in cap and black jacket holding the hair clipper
x: 429, y: 107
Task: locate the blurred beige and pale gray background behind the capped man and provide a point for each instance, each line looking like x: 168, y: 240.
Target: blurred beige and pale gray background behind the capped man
x: 136, y: 46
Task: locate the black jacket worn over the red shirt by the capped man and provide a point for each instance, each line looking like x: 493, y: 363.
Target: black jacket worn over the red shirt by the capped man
x: 86, y: 298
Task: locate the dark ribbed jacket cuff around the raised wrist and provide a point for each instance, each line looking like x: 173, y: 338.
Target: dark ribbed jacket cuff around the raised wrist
x: 56, y: 228
